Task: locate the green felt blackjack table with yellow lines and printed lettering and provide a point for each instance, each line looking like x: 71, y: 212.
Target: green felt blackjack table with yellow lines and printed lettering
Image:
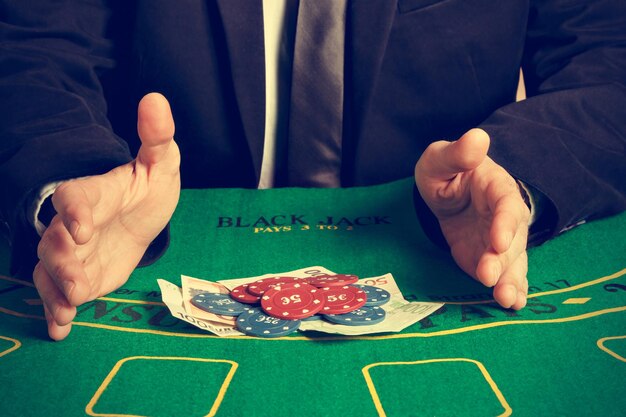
x: 564, y: 354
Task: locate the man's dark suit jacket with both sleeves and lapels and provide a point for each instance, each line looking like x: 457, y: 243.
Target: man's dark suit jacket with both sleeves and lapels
x: 72, y: 72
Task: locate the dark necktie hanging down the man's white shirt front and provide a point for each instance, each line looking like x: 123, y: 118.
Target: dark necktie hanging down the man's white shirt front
x: 316, y: 108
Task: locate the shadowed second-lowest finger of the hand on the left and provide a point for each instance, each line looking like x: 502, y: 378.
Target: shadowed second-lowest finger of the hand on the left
x: 60, y: 311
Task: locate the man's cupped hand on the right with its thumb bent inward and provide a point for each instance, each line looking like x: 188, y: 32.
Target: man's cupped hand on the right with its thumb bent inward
x: 481, y: 213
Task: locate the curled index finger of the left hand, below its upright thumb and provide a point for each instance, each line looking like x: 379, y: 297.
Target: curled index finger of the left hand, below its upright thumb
x: 73, y: 201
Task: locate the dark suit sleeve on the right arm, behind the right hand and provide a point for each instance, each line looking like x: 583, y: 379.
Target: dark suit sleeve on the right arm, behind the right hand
x: 567, y: 140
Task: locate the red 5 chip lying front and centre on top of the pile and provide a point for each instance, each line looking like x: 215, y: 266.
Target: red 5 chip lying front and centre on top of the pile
x: 292, y: 301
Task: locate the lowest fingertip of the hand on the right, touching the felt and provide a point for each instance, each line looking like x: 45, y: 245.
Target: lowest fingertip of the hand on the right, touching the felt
x: 512, y: 288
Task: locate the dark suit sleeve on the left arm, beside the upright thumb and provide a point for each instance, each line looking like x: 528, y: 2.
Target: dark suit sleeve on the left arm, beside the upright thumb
x: 53, y: 115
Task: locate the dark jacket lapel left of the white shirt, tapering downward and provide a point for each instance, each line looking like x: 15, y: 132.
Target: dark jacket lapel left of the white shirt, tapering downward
x: 243, y: 29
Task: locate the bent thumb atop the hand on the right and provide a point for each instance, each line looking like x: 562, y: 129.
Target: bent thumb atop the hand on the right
x: 444, y: 160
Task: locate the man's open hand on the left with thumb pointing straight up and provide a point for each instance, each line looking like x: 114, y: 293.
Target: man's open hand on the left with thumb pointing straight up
x: 105, y: 223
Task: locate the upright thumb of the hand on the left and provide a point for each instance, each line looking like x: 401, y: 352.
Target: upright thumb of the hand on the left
x: 155, y: 126
